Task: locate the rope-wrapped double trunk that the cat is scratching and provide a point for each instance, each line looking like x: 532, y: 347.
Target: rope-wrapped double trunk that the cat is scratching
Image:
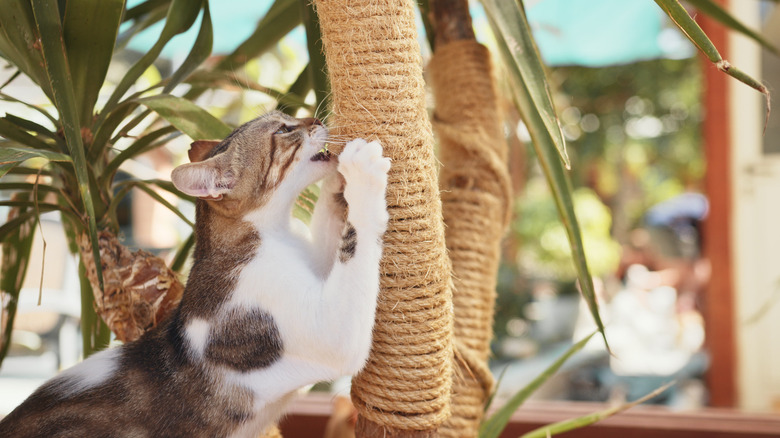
x: 375, y: 68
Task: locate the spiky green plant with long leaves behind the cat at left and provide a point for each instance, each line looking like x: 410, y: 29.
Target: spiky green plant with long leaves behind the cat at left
x: 66, y: 48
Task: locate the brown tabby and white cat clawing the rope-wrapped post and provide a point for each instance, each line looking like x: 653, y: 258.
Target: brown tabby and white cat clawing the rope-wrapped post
x: 266, y: 309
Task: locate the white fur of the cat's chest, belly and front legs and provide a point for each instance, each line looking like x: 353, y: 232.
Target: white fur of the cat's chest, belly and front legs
x: 324, y: 308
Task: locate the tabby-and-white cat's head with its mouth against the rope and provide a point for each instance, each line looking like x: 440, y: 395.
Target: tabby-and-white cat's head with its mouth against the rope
x: 268, y: 155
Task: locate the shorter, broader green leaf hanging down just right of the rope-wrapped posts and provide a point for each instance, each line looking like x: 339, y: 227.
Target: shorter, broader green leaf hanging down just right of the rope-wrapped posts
x: 511, y: 28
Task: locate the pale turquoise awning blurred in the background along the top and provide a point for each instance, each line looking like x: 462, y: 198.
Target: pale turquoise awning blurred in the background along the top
x: 591, y: 33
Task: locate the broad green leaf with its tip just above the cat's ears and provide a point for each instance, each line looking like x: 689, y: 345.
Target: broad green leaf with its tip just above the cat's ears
x: 192, y: 120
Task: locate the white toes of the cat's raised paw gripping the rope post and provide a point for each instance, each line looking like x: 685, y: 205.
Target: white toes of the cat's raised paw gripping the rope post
x: 362, y: 162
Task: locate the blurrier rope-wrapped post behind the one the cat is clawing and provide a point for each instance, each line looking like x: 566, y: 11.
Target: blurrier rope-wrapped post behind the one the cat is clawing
x: 476, y: 198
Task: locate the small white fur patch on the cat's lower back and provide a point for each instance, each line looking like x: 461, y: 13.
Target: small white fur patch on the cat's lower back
x: 93, y: 371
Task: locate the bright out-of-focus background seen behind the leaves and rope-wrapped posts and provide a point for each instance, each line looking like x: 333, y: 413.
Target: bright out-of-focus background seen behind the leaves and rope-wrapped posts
x: 676, y: 187
